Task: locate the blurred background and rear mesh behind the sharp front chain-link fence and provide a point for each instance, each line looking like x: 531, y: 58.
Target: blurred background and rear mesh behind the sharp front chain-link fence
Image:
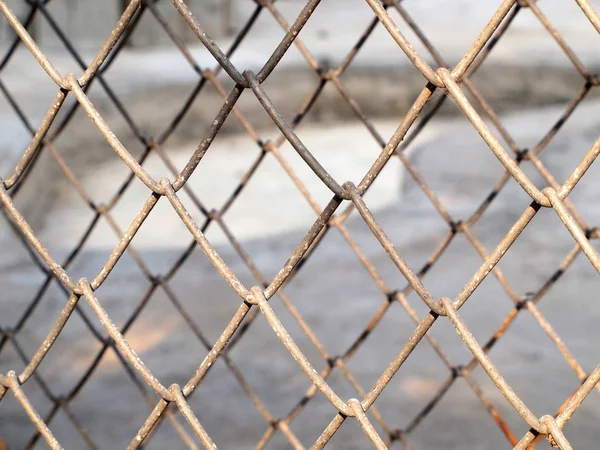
x: 346, y: 88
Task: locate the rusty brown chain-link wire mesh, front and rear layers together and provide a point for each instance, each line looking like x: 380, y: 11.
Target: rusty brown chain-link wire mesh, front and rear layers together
x: 453, y: 82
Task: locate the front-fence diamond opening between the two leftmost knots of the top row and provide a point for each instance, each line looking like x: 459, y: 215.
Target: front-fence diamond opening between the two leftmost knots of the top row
x: 179, y: 101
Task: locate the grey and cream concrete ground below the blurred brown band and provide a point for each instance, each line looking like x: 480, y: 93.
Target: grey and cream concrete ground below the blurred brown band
x: 332, y: 292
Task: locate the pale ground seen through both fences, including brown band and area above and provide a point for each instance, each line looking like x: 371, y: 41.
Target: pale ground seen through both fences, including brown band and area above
x: 333, y: 293
